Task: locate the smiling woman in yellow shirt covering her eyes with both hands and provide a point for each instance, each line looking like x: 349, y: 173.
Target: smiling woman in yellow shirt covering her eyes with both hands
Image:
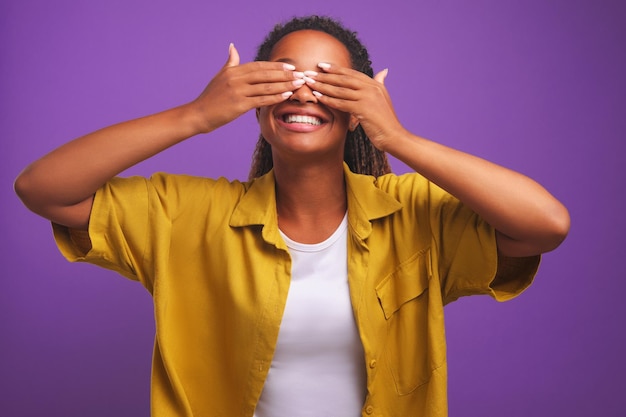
x: 310, y: 289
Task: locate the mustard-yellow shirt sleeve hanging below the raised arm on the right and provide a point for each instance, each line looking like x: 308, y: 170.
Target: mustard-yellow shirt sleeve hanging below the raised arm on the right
x: 467, y: 255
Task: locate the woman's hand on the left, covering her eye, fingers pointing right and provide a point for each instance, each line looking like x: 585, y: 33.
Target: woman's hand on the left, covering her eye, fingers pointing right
x: 236, y: 89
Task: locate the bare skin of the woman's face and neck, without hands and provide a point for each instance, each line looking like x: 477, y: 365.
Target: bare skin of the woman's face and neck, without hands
x: 308, y: 160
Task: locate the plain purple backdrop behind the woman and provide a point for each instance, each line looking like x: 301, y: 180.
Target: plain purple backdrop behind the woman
x: 538, y: 86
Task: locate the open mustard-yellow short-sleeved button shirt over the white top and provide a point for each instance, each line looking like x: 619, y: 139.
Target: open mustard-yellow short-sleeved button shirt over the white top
x: 210, y: 253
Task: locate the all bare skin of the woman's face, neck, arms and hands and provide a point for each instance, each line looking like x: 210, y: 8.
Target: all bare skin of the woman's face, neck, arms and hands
x: 311, y: 195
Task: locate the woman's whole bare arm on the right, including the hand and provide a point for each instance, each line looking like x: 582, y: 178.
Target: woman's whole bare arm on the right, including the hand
x: 527, y: 218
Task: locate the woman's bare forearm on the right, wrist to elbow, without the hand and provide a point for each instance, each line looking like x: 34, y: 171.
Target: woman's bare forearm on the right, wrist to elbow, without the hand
x: 529, y: 220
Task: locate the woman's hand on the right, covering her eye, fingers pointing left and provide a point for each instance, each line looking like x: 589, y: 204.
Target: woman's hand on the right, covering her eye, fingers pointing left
x: 366, y: 99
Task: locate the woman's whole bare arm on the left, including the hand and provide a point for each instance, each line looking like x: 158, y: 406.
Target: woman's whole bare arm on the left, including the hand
x: 60, y: 186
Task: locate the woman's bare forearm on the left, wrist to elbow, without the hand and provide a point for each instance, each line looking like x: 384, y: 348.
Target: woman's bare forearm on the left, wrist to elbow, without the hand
x: 73, y: 172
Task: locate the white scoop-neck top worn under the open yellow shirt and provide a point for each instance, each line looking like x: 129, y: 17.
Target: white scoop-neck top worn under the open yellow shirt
x: 318, y: 367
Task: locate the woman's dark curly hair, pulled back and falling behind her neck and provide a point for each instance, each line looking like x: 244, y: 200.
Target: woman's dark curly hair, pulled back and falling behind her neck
x: 359, y: 153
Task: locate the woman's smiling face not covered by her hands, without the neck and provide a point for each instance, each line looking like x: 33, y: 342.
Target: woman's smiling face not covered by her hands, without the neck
x: 282, y: 124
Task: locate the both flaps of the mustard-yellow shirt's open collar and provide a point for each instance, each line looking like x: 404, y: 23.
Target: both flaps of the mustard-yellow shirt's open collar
x: 366, y: 202
